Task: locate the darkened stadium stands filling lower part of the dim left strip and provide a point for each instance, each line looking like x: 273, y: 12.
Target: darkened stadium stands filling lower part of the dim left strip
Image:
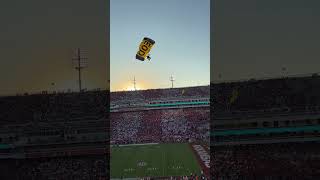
x: 59, y: 135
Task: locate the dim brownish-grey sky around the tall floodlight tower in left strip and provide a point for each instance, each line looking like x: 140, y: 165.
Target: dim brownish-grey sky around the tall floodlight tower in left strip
x: 37, y: 39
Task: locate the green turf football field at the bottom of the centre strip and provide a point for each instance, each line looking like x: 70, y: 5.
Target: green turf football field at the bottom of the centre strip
x: 159, y: 160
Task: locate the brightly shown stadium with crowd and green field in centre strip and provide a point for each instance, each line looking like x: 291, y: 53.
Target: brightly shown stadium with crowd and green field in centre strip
x: 160, y: 133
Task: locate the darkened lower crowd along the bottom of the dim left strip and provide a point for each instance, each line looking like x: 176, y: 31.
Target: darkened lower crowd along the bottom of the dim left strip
x: 62, y: 168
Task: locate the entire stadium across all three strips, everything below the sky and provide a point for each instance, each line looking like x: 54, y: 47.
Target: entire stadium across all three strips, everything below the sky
x: 259, y: 128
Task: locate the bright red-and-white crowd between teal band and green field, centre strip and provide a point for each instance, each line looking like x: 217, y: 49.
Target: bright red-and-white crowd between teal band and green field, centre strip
x: 175, y: 125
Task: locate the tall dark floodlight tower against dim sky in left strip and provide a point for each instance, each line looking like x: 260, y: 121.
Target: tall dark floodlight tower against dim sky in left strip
x: 80, y: 62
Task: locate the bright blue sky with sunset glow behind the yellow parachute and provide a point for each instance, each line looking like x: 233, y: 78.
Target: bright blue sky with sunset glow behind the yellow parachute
x: 181, y: 30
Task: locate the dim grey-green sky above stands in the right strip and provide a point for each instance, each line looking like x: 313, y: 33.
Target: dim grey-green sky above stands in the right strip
x: 256, y: 39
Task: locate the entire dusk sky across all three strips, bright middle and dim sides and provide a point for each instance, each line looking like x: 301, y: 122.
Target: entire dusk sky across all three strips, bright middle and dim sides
x: 250, y: 39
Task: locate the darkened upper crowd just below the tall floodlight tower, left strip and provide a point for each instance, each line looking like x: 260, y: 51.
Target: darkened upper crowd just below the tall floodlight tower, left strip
x: 30, y: 113
